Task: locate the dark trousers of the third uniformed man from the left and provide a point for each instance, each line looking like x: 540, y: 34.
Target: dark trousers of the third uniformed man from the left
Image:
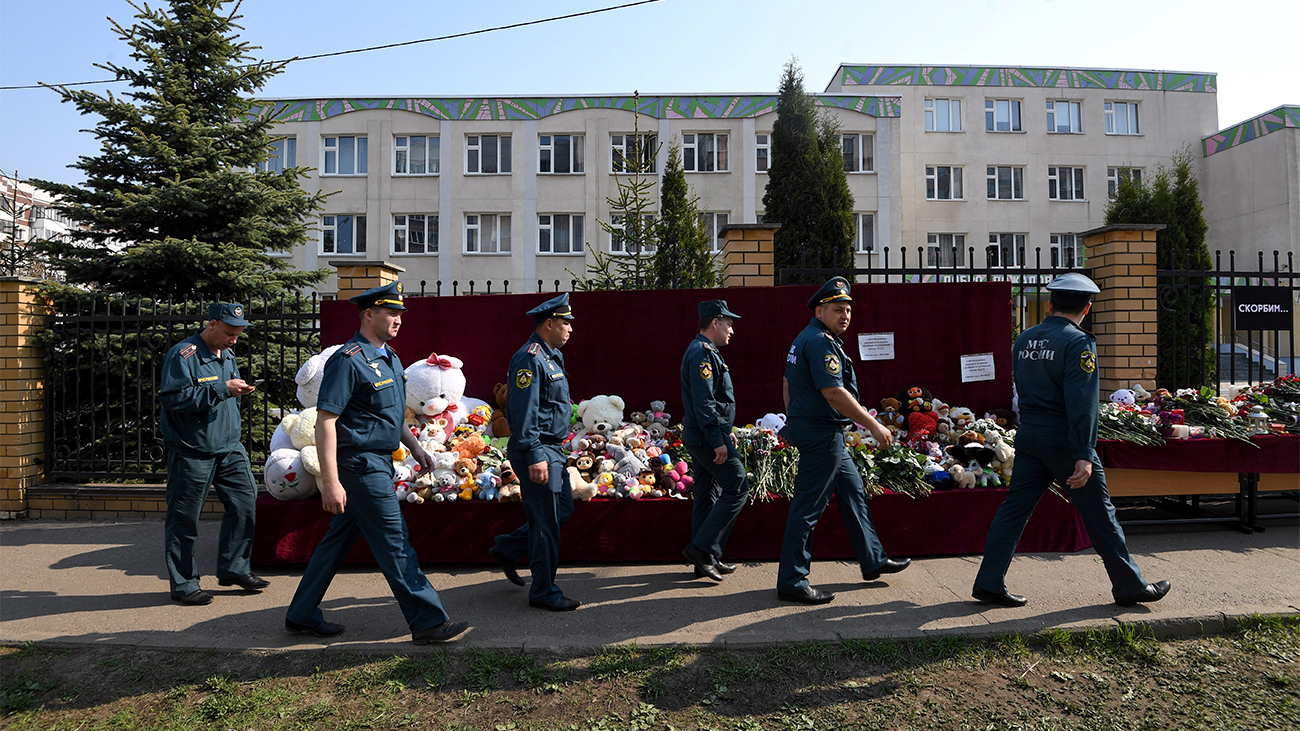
x: 548, y: 508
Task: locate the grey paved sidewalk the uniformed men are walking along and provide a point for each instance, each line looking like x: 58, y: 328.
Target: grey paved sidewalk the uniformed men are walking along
x: 103, y: 583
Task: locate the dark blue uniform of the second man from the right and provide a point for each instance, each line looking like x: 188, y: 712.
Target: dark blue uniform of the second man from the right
x: 818, y: 361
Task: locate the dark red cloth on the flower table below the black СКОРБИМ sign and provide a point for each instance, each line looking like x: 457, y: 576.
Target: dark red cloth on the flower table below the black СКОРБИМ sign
x: 1276, y: 455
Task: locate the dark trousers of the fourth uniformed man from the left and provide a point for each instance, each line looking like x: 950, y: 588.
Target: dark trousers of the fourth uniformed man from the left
x: 720, y: 494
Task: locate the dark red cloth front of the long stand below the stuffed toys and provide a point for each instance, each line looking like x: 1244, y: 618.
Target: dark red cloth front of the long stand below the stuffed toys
x: 952, y: 522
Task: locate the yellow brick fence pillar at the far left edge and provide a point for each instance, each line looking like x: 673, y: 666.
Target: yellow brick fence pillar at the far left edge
x: 23, y: 396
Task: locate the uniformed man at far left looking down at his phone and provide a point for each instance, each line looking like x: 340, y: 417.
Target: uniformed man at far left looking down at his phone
x: 201, y: 431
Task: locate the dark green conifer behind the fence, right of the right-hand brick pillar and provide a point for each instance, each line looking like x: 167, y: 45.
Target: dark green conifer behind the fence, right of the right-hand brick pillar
x: 1186, y: 309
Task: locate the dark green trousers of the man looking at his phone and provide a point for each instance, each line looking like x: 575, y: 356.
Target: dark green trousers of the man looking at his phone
x: 189, y: 478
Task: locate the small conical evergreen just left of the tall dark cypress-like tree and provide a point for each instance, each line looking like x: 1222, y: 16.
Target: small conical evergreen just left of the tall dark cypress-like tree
x: 686, y: 258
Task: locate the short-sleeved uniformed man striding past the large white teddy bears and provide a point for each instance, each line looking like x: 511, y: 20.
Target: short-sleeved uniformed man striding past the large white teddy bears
x: 359, y: 422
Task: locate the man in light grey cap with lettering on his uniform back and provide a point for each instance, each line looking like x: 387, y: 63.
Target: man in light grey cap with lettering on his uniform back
x: 1056, y: 377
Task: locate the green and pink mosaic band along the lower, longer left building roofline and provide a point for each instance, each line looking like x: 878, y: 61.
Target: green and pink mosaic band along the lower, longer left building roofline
x: 539, y: 107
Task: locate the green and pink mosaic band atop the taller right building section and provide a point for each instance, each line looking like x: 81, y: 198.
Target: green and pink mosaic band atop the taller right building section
x: 1026, y: 77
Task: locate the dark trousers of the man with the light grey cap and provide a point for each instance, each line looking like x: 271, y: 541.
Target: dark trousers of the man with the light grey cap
x: 1037, y: 466
